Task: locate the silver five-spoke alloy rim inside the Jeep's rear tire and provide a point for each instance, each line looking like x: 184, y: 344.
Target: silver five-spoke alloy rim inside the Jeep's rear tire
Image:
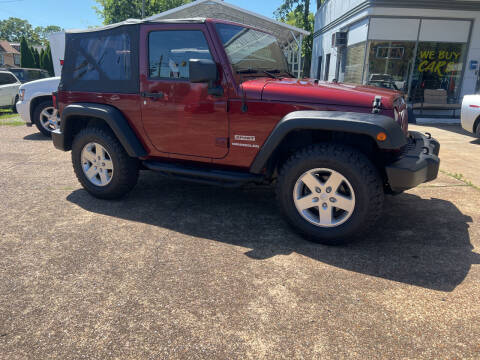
x: 97, y: 164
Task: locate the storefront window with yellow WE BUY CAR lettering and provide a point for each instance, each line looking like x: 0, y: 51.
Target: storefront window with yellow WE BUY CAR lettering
x: 437, y: 73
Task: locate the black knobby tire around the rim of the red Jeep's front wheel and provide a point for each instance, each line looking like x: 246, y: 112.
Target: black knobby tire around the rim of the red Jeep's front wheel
x: 356, y: 168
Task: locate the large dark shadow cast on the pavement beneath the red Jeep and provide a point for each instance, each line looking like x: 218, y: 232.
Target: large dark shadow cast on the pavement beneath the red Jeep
x: 422, y: 242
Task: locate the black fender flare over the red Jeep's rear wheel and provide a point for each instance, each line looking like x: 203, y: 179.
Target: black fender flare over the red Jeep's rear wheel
x: 113, y: 117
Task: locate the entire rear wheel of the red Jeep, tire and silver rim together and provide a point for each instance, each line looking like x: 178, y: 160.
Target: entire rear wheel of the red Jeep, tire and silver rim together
x: 101, y: 164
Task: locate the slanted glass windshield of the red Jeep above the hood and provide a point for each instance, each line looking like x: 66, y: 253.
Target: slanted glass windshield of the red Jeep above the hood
x: 252, y: 52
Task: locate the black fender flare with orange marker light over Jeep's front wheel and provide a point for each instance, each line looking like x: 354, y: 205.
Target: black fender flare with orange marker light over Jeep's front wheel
x: 349, y: 122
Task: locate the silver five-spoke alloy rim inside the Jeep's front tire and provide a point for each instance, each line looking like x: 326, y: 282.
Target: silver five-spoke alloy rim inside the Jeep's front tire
x: 324, y: 197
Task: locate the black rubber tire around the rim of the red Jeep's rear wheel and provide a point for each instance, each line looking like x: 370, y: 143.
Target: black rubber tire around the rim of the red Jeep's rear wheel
x: 126, y: 168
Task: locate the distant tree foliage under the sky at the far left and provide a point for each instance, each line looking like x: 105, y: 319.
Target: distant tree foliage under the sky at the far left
x: 14, y: 29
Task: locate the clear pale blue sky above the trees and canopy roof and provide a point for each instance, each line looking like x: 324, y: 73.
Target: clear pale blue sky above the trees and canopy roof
x: 78, y: 14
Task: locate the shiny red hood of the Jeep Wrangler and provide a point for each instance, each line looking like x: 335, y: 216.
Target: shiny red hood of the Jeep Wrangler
x: 311, y: 91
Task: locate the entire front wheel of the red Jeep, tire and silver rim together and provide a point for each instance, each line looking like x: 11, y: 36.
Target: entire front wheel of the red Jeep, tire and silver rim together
x: 330, y: 193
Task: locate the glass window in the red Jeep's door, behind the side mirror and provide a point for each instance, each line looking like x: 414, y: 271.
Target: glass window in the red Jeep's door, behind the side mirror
x: 169, y: 52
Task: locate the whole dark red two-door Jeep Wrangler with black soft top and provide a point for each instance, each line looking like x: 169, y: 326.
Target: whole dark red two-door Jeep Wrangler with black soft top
x: 213, y: 102
